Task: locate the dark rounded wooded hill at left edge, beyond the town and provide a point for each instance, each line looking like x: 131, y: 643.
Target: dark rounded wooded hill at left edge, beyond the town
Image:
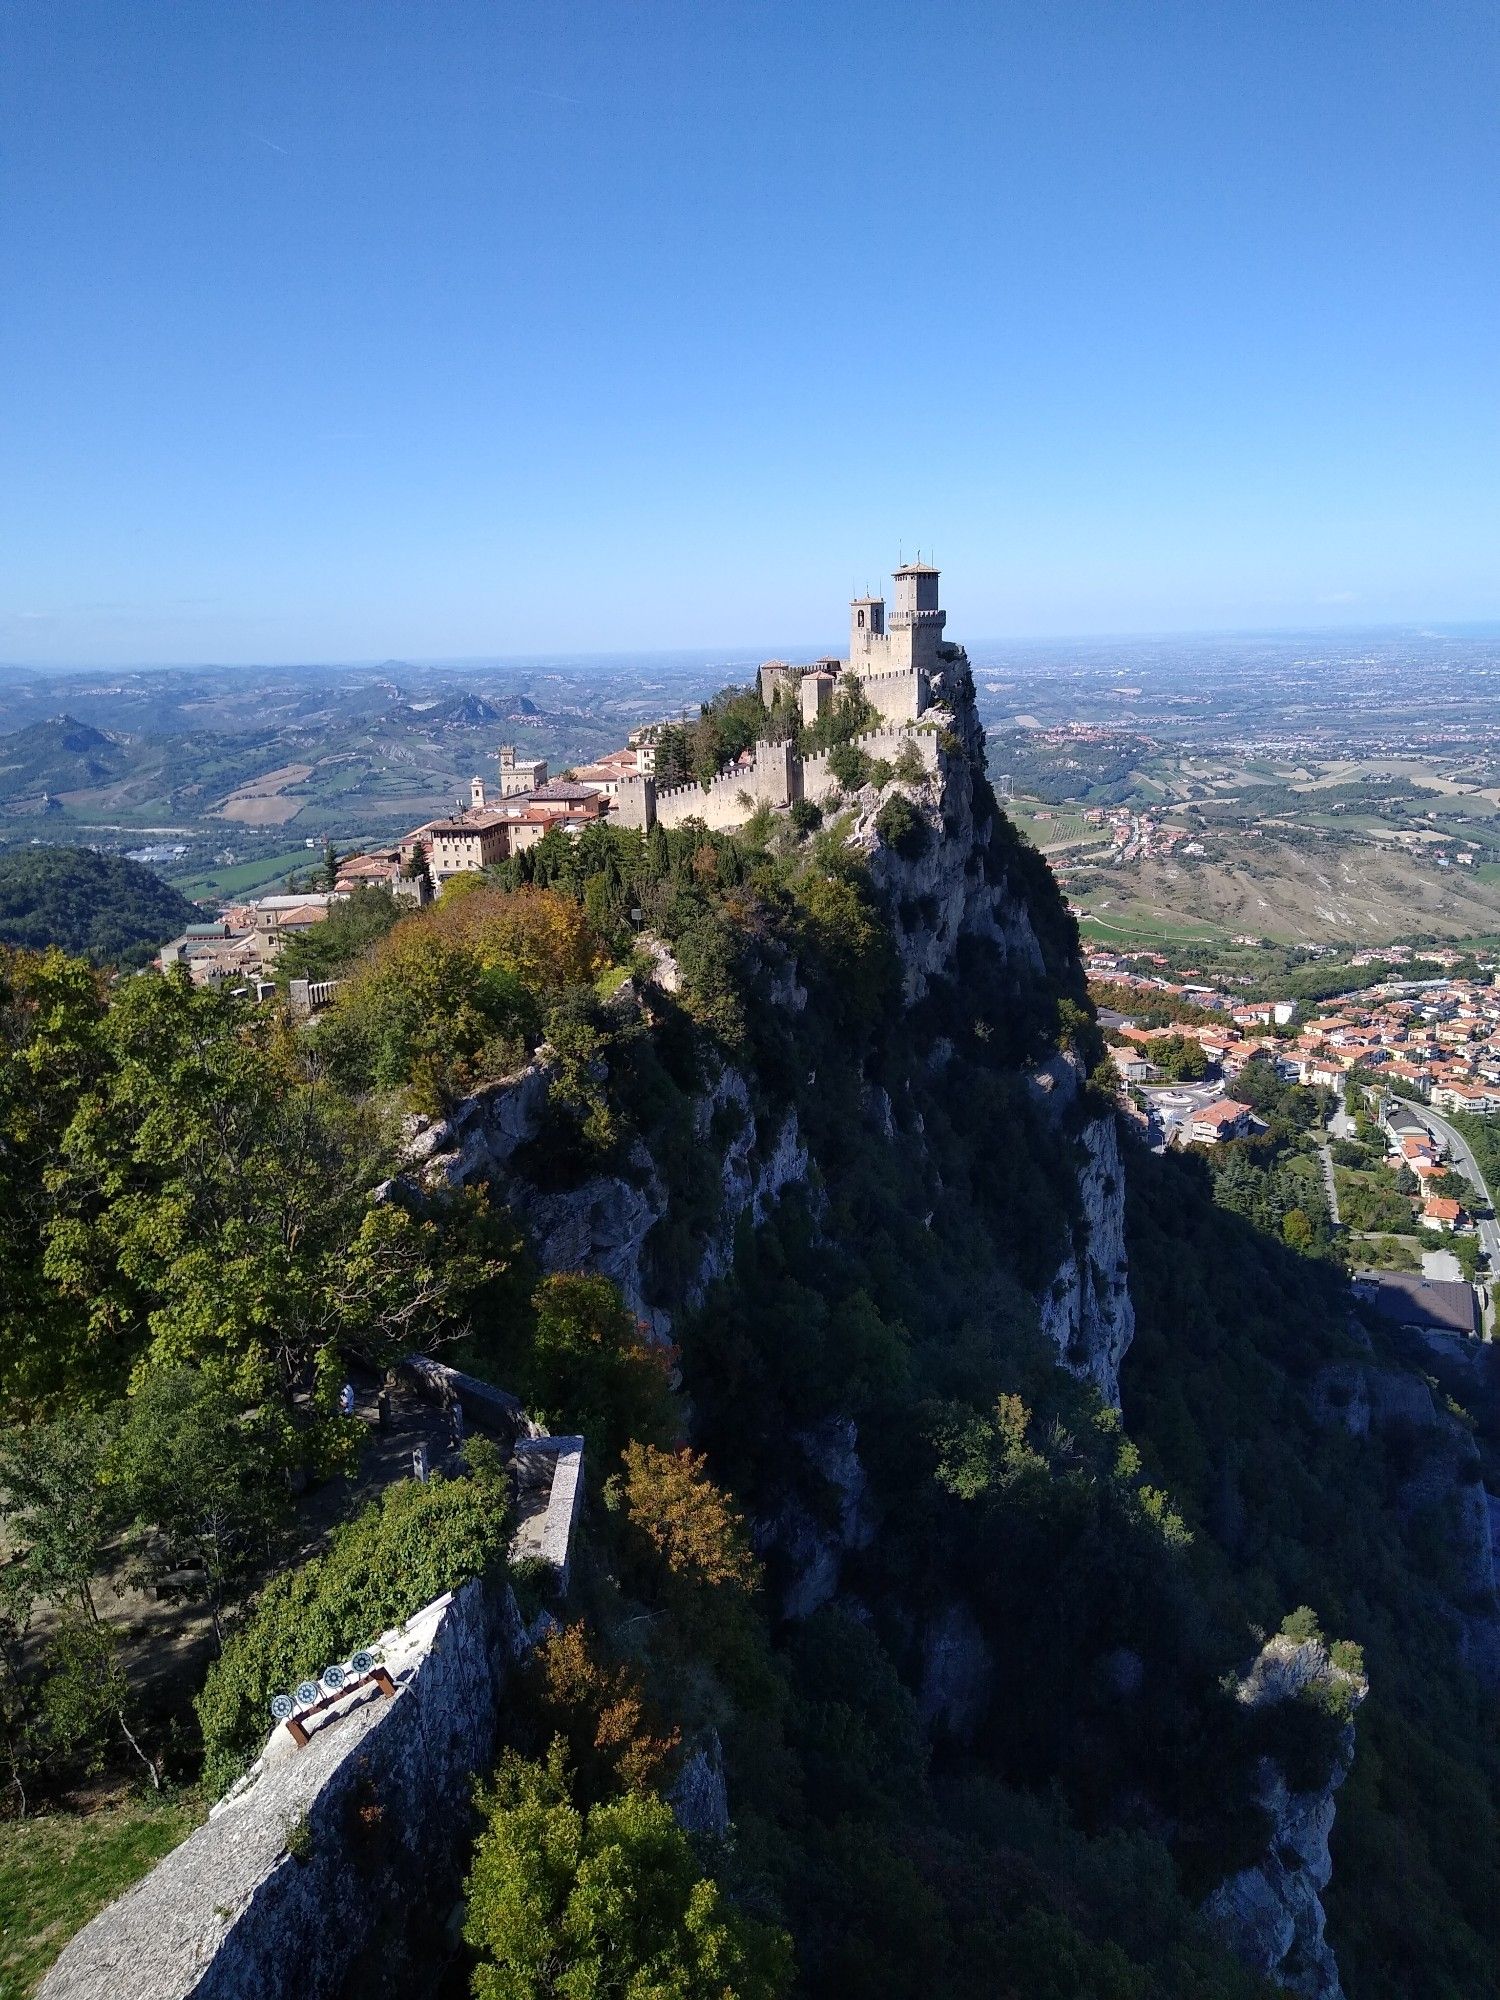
x: 99, y: 907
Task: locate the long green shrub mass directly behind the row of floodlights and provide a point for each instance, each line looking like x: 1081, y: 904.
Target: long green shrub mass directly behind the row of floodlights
x: 407, y: 1549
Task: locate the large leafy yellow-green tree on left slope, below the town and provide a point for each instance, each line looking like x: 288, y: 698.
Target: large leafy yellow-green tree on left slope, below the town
x: 217, y: 1199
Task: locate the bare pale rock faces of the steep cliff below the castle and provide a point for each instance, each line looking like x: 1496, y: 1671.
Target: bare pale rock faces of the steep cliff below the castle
x: 967, y: 883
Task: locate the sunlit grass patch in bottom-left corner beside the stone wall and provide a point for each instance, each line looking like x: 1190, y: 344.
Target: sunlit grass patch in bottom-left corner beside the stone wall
x: 59, y: 1871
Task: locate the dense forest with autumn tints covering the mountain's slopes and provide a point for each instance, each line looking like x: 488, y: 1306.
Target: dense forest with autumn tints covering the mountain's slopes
x: 201, y: 1235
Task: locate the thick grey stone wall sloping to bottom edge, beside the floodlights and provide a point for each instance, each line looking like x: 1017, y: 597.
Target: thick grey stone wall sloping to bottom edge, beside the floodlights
x: 329, y: 1869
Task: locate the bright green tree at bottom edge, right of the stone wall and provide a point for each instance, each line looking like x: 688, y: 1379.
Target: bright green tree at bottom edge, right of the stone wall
x: 583, y: 1907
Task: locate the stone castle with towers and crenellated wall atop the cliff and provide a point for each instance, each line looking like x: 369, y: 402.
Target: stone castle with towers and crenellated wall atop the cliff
x: 889, y: 663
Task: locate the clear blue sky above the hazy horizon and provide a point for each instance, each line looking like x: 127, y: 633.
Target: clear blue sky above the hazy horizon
x: 347, y: 329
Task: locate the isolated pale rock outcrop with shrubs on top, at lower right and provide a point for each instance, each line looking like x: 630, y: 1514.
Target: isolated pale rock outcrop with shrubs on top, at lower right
x: 1271, y: 1915
